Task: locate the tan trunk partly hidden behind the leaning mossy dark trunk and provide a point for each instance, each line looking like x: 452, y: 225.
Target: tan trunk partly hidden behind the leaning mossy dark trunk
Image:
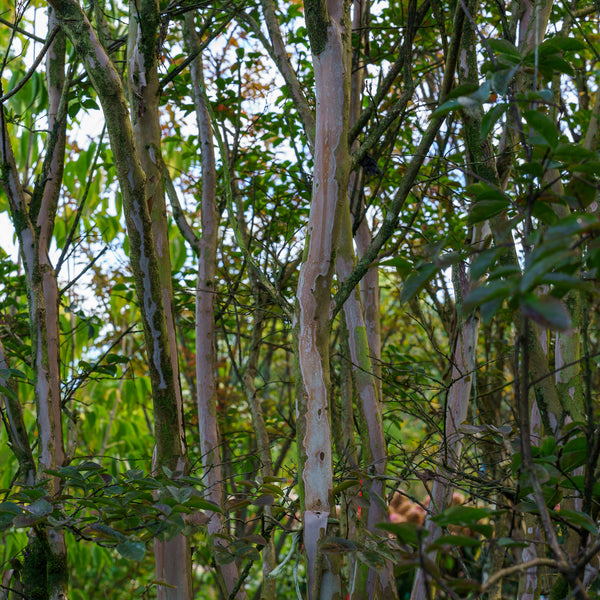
x: 172, y: 557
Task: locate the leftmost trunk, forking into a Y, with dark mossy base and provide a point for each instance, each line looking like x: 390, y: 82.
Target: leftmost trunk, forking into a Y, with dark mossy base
x: 33, y: 218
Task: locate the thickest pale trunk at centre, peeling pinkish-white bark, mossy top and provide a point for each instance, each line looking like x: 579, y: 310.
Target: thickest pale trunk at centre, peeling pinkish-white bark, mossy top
x: 328, y: 28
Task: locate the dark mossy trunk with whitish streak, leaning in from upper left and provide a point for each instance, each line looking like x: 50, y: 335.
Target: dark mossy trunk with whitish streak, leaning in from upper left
x: 132, y: 180
